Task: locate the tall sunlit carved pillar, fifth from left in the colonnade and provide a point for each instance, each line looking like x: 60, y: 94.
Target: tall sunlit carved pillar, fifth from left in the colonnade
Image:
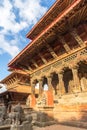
x: 76, y: 79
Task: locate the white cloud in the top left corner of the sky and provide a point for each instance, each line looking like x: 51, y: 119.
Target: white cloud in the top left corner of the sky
x: 8, y: 18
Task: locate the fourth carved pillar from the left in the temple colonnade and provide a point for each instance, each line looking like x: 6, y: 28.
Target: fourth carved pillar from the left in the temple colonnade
x: 61, y: 83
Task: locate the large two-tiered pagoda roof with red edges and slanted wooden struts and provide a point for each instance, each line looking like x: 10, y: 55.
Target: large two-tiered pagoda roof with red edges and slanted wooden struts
x: 46, y: 45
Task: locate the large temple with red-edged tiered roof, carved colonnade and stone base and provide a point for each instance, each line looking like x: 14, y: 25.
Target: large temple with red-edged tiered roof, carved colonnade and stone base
x: 56, y: 62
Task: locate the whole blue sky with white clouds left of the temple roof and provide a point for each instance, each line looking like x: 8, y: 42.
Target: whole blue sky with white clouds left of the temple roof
x: 17, y: 17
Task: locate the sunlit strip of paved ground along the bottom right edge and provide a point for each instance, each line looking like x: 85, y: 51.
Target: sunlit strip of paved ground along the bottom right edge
x: 58, y: 127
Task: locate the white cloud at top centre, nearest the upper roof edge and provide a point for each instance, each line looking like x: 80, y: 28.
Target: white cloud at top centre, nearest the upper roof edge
x: 30, y: 10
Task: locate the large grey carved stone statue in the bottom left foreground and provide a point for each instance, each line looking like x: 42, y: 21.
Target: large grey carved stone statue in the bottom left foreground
x: 19, y: 120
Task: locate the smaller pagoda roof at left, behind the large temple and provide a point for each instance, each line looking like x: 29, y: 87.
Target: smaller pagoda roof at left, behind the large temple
x: 17, y: 82
